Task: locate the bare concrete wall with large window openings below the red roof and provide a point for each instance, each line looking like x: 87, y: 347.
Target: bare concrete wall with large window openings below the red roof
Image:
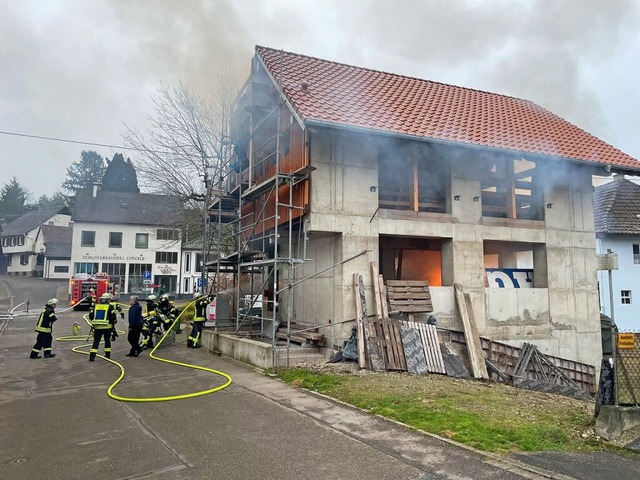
x: 560, y: 314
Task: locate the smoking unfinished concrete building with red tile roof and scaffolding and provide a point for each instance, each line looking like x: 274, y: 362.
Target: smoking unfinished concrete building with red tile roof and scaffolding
x: 335, y: 167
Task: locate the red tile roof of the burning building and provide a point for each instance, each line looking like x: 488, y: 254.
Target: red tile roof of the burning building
x: 359, y: 97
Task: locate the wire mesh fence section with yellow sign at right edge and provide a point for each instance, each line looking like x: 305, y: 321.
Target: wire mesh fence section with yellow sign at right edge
x: 627, y: 361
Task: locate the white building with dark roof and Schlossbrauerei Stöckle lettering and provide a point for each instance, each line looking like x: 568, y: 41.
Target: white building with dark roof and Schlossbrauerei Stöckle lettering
x: 134, y: 238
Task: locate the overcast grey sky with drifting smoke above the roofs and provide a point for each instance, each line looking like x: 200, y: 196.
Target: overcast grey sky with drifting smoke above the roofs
x: 79, y: 69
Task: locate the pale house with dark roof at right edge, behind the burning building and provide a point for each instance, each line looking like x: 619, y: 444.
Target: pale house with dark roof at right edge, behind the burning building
x: 616, y: 207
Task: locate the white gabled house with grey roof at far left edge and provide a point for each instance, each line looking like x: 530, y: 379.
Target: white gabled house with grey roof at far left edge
x: 23, y: 242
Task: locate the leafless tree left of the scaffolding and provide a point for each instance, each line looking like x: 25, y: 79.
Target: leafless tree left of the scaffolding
x: 185, y: 150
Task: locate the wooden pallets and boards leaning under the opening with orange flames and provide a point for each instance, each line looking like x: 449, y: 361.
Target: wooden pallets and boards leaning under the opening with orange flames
x: 386, y: 343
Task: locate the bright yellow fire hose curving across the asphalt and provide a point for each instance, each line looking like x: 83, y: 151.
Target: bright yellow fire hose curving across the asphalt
x: 151, y: 355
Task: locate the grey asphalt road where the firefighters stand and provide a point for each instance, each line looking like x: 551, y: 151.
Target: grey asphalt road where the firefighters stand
x: 56, y: 421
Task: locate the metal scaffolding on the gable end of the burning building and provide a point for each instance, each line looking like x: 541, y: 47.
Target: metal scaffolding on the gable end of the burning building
x: 262, y: 207
